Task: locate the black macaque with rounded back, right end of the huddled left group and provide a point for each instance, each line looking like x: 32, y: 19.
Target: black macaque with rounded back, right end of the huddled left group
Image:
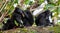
x: 28, y: 19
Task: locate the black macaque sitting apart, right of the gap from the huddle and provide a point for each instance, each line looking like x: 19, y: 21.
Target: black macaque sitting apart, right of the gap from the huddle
x: 43, y: 18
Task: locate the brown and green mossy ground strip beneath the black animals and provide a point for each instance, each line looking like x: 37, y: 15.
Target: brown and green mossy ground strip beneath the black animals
x: 34, y: 29
